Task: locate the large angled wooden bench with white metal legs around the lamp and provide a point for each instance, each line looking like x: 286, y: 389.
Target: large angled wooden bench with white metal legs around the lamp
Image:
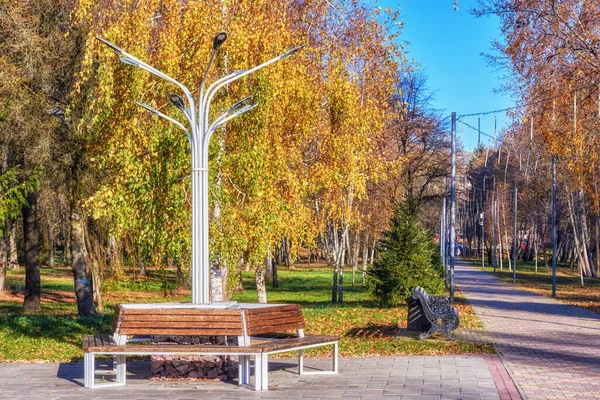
x: 261, y: 330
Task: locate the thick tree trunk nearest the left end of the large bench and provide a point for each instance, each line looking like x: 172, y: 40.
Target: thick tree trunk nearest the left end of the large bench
x: 83, y: 287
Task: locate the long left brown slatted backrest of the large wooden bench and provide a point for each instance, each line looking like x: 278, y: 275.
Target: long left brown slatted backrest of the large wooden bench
x: 178, y: 322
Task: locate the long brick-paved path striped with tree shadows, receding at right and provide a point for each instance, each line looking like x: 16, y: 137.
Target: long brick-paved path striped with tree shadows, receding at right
x: 551, y: 348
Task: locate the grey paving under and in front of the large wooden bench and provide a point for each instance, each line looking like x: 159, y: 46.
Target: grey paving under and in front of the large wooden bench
x: 415, y: 377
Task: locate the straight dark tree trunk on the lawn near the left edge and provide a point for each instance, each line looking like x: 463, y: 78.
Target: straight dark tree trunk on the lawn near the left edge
x: 32, y: 256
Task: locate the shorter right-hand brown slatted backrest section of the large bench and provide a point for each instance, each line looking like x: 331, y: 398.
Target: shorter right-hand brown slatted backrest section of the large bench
x: 273, y: 319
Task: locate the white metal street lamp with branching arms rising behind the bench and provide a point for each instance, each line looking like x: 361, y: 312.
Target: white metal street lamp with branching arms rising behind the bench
x: 201, y: 132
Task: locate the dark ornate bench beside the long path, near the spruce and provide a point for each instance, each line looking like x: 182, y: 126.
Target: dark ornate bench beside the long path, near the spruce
x: 442, y: 316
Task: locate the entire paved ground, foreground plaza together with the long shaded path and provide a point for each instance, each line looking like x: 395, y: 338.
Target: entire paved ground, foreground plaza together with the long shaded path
x: 551, y: 350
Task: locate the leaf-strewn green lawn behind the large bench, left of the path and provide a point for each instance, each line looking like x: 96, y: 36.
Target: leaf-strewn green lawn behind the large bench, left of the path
x: 365, y: 330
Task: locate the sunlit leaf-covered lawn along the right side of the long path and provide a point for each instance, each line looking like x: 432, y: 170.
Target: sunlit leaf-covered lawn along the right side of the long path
x: 568, y: 283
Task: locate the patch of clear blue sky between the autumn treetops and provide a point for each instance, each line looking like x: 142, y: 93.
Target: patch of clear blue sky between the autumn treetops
x: 448, y: 44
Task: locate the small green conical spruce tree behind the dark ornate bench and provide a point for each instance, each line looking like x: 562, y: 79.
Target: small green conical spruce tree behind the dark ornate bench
x: 407, y: 259
